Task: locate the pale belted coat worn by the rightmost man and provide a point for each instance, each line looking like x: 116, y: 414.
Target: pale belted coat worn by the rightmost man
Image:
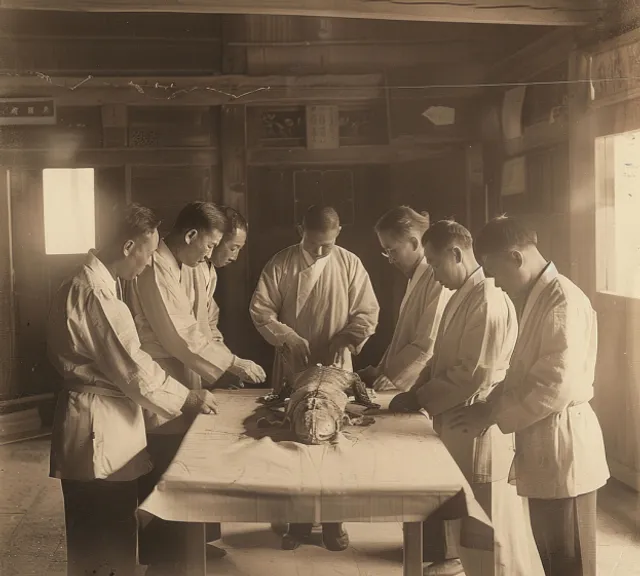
x: 545, y: 396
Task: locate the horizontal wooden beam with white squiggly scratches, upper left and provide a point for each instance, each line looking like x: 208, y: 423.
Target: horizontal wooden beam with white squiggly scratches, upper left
x: 198, y: 91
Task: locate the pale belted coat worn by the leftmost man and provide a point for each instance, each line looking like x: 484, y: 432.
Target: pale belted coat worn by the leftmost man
x: 99, y: 430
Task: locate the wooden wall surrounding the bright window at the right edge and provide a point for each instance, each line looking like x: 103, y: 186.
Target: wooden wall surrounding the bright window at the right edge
x: 614, y: 109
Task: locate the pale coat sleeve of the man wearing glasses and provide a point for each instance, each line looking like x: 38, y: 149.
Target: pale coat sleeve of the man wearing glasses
x: 402, y: 367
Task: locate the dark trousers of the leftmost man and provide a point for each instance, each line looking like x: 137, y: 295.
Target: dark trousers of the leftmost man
x: 100, y: 524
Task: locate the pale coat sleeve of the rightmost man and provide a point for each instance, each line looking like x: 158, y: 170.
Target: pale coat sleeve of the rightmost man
x: 568, y: 347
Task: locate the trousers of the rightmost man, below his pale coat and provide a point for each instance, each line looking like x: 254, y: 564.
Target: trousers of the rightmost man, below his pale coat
x: 565, y: 534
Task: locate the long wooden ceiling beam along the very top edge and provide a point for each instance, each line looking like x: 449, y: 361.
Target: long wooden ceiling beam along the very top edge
x: 528, y: 12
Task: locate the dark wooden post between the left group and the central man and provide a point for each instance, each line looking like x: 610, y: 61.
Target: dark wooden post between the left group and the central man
x: 234, y: 290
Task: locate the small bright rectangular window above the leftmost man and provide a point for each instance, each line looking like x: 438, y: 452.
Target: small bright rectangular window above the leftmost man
x: 69, y: 211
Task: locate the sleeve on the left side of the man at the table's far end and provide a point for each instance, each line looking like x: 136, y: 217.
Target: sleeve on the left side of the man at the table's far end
x: 266, y: 304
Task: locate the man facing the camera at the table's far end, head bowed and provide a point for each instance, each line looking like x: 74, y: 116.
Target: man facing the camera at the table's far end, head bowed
x: 315, y: 304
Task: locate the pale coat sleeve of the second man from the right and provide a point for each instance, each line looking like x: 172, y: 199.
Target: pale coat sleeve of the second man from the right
x: 481, y: 355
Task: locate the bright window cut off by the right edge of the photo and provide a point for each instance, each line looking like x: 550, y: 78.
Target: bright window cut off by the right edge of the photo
x: 617, y: 219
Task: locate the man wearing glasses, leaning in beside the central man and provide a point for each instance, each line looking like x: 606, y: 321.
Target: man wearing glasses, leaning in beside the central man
x: 400, y: 234
